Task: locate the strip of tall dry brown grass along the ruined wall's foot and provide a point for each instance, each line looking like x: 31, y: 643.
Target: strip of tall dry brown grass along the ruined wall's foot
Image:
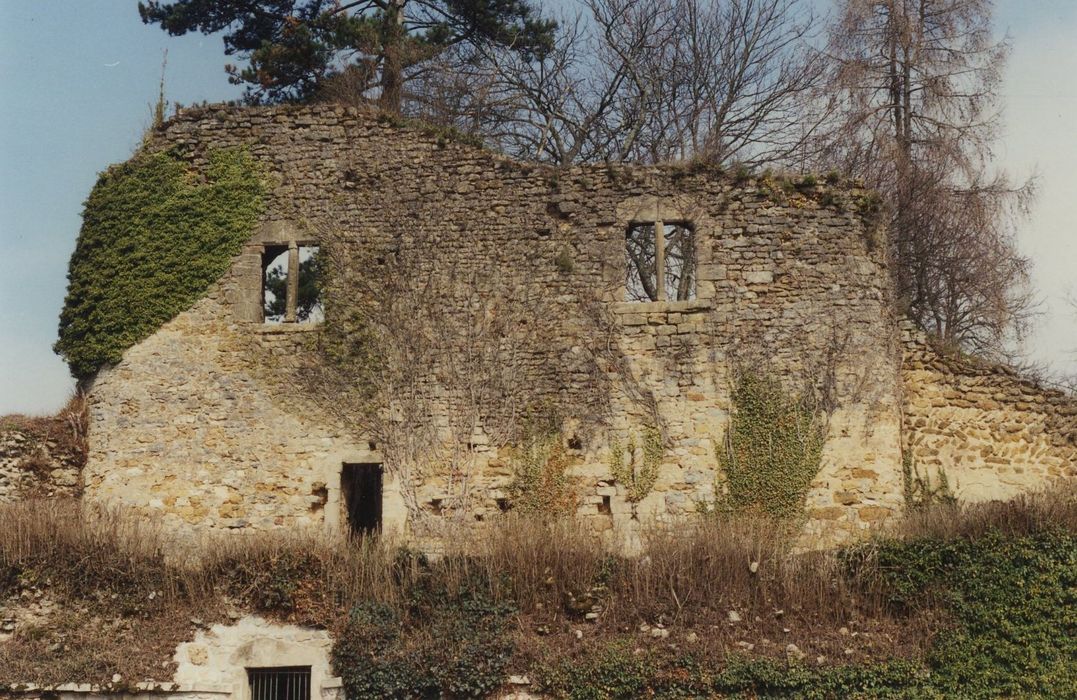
x: 696, y: 573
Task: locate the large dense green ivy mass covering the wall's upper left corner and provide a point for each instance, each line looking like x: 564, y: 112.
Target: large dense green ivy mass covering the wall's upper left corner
x: 156, y: 236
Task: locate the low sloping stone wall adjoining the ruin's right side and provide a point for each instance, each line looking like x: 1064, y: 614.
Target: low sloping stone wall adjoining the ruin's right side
x: 988, y: 432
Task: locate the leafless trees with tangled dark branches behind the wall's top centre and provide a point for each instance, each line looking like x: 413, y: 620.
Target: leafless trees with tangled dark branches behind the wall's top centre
x: 660, y: 80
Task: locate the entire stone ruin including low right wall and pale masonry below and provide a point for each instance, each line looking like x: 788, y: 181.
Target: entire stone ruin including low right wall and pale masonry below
x: 522, y: 290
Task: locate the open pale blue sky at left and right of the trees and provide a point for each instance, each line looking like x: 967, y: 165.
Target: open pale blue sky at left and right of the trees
x: 78, y: 78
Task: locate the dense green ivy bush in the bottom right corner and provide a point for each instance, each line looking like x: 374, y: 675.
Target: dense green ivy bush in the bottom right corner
x: 1014, y: 601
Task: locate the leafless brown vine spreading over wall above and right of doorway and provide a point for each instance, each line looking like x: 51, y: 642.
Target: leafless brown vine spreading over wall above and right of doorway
x: 425, y: 361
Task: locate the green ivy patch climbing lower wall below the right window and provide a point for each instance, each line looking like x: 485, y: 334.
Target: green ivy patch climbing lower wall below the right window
x: 773, y: 449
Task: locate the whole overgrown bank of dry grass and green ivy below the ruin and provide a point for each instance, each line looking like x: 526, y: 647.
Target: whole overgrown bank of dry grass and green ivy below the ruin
x: 962, y: 603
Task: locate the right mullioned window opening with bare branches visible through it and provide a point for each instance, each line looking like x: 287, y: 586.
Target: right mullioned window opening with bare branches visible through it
x: 661, y: 262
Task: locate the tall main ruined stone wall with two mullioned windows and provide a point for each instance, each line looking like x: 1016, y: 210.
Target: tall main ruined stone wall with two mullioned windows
x: 205, y: 424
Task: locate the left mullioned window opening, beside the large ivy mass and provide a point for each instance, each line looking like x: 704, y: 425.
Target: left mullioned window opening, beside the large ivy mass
x: 288, y: 298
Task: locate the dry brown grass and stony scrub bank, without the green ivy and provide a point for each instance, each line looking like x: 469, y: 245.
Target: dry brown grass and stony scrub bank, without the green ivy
x: 115, y: 591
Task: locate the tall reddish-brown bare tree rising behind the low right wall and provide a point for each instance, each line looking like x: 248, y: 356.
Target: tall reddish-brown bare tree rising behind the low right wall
x: 916, y: 89
